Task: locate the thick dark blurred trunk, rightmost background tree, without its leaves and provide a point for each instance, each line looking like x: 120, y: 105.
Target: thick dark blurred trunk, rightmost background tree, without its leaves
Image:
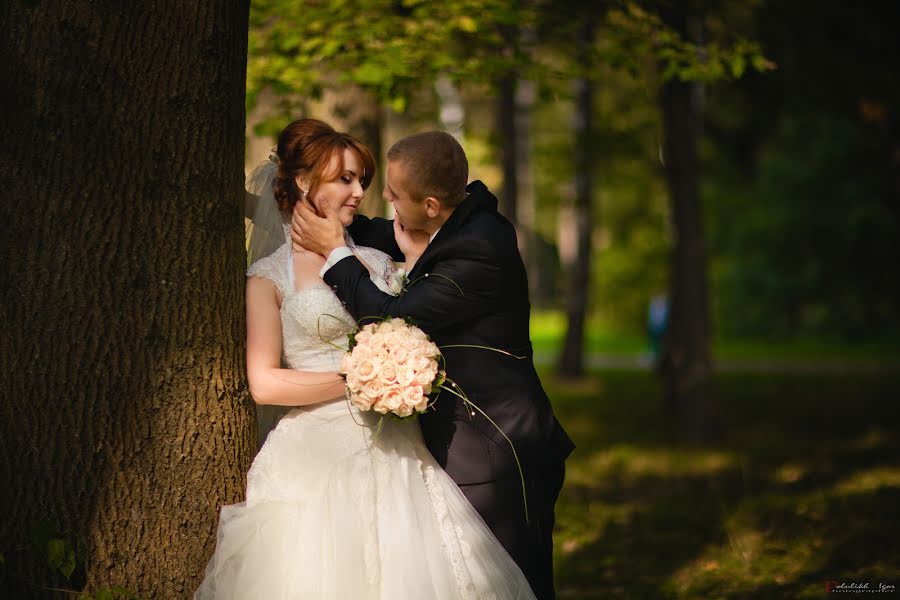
x: 685, y: 362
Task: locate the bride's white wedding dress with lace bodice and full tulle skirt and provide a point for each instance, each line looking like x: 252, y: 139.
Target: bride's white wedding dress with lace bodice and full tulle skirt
x: 342, y: 504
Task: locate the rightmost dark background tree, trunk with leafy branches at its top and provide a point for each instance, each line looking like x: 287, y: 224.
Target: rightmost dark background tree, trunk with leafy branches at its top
x: 686, y: 359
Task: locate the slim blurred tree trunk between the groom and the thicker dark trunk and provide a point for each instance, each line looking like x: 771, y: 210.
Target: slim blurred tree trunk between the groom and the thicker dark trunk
x: 571, y: 361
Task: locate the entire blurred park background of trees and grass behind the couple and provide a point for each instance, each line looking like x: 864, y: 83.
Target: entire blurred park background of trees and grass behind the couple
x: 740, y: 159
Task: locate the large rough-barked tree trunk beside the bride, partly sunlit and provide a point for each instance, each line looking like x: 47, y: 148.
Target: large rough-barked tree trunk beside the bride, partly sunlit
x: 125, y: 412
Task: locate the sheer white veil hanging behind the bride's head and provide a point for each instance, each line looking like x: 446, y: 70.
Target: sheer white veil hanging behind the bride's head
x: 267, y: 233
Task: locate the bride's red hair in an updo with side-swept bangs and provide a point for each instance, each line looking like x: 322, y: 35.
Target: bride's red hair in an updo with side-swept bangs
x: 315, y: 150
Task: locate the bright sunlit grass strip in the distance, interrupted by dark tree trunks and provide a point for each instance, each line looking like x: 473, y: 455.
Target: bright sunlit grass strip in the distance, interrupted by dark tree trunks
x: 548, y: 329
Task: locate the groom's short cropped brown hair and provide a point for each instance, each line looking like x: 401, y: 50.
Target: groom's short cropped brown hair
x: 434, y: 164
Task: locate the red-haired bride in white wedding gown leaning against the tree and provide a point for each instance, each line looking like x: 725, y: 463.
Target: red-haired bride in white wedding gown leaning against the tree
x: 340, y: 503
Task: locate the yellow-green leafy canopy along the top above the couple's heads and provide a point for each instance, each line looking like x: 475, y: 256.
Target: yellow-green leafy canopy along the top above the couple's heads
x: 393, y: 49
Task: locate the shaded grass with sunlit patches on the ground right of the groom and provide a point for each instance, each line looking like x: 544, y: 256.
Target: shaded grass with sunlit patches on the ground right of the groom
x: 801, y: 487
